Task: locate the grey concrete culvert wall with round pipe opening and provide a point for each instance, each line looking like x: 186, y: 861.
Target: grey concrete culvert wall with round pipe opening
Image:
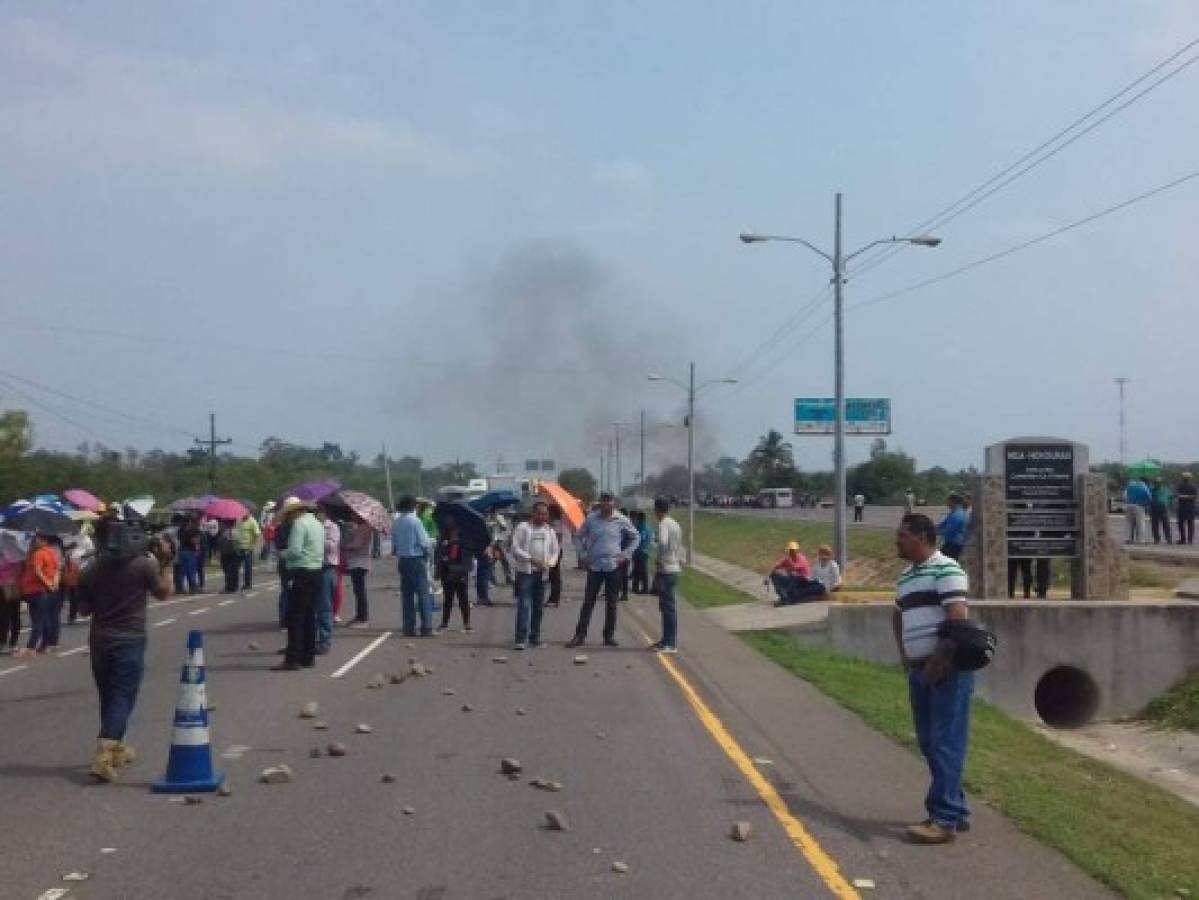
x: 1132, y: 651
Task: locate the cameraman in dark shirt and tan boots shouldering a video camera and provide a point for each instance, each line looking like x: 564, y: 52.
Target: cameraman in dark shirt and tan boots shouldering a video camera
x: 116, y: 591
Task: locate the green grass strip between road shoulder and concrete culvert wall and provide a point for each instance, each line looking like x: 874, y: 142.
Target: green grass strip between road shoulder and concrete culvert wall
x: 1129, y: 835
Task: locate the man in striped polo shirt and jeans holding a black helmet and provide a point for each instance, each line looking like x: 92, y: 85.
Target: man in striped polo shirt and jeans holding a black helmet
x: 932, y: 590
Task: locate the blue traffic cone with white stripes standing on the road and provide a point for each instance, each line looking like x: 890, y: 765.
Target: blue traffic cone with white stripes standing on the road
x: 190, y: 764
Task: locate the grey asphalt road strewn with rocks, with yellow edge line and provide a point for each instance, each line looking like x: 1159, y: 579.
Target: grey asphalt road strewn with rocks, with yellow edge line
x: 658, y: 759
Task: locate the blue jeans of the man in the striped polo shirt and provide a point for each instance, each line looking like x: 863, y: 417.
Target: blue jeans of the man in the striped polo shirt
x: 942, y: 715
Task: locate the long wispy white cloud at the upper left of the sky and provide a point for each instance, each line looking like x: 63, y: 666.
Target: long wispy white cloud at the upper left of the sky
x: 69, y: 99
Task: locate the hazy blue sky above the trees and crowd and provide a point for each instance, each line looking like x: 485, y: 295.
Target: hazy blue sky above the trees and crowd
x: 472, y: 229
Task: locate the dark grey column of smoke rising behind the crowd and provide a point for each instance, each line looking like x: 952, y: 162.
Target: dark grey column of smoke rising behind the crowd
x: 571, y: 346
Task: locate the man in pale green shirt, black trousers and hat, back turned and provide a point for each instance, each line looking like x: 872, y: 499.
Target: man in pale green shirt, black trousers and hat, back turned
x: 304, y: 559
